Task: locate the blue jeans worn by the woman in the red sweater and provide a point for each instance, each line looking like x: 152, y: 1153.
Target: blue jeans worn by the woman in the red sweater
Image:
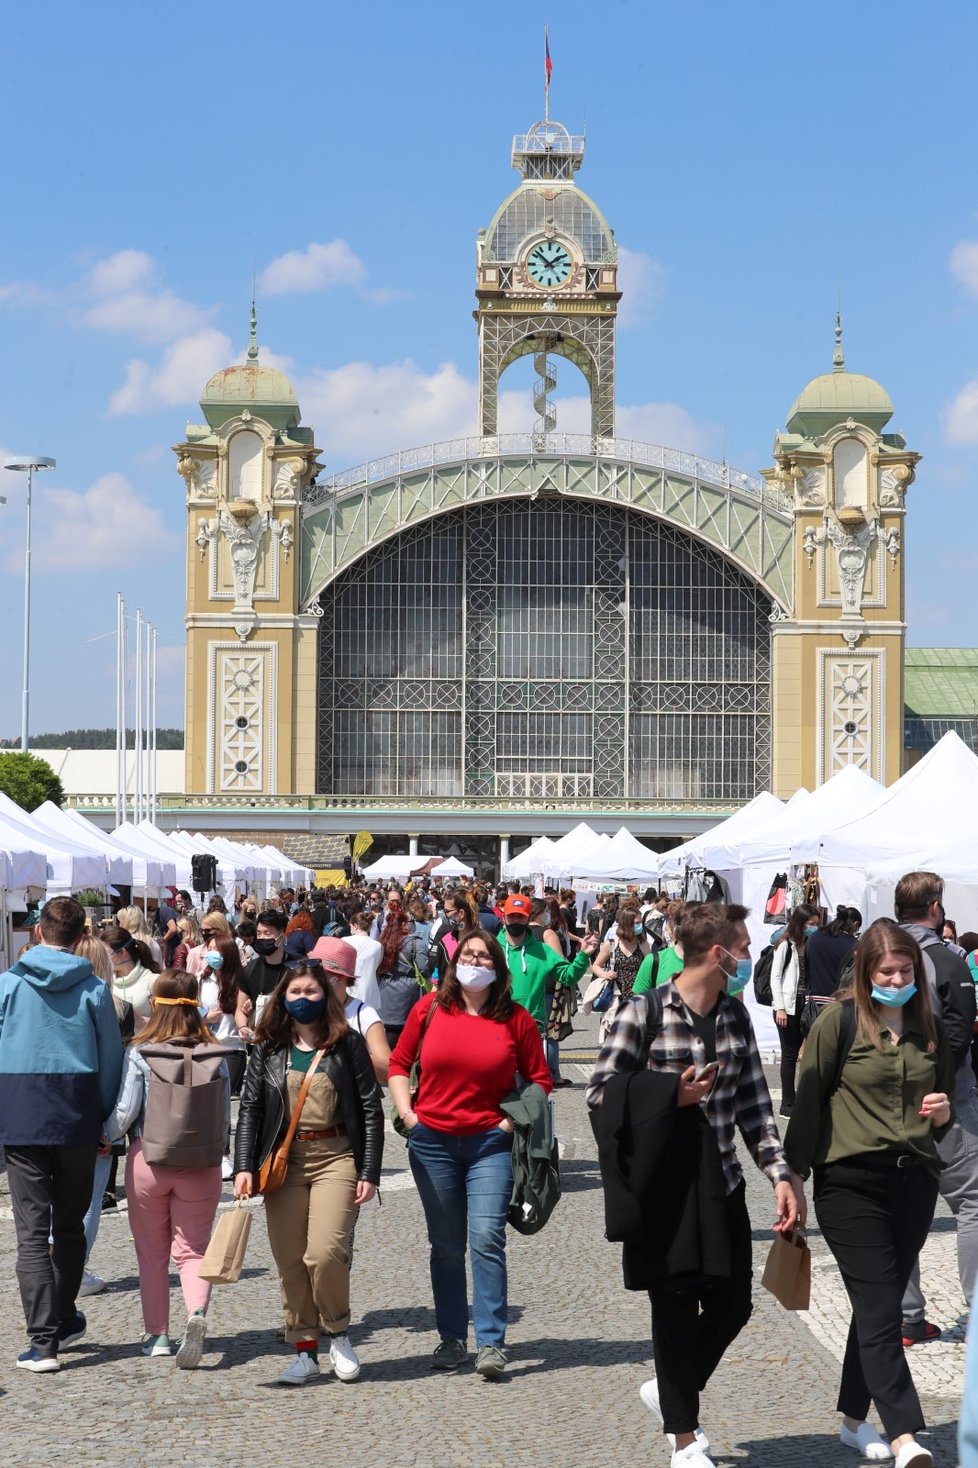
x: 466, y: 1184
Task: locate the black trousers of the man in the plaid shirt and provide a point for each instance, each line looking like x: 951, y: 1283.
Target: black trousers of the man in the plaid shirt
x: 692, y: 1328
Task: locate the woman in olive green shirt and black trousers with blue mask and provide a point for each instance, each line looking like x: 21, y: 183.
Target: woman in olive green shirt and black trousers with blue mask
x: 870, y: 1141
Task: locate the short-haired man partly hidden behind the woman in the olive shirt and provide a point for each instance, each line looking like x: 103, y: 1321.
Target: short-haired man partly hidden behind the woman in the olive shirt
x: 919, y: 904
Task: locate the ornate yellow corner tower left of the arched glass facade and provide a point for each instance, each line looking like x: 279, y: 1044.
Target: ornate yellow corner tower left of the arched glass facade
x: 250, y: 653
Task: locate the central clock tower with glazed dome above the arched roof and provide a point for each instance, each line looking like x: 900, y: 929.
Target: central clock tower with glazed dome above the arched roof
x: 547, y: 281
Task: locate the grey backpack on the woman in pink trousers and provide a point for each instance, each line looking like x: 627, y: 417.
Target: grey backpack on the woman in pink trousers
x: 186, y: 1119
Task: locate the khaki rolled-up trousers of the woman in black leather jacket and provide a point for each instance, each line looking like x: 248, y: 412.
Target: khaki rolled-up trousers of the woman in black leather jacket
x: 309, y: 1224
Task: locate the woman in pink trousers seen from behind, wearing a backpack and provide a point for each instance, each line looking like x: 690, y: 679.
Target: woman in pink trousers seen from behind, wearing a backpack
x: 171, y: 1207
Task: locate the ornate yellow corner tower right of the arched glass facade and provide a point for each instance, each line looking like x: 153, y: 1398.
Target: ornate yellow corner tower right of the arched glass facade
x: 839, y: 658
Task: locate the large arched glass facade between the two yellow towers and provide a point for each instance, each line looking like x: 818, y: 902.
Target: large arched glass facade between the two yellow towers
x: 543, y: 651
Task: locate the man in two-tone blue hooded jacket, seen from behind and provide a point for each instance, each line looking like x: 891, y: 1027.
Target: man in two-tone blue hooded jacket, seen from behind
x: 61, y: 1062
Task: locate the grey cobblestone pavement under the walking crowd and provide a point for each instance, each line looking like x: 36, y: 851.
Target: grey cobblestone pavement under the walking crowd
x: 579, y: 1342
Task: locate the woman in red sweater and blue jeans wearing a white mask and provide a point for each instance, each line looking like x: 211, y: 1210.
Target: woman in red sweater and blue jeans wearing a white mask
x: 472, y: 1040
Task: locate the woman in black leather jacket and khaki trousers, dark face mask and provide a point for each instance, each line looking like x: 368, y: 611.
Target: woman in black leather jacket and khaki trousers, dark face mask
x: 334, y: 1162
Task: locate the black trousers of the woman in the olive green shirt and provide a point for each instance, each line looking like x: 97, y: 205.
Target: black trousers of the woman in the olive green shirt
x: 876, y: 1219
